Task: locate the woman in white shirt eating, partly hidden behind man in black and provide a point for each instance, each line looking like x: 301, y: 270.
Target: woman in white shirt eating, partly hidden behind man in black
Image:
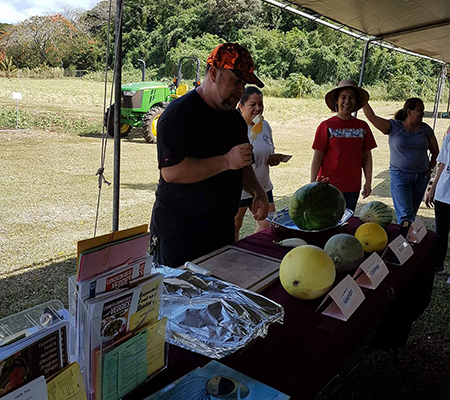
x: 251, y: 105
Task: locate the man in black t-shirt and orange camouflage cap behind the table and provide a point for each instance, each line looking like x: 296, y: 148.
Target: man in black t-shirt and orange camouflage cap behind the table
x: 205, y: 161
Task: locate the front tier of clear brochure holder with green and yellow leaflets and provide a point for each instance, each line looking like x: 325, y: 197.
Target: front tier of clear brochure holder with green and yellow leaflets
x: 116, y: 359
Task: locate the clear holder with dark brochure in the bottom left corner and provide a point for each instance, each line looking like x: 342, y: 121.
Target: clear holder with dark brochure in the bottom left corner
x: 33, y: 348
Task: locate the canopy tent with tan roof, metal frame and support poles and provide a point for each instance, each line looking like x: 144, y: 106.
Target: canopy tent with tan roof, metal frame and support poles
x: 418, y: 27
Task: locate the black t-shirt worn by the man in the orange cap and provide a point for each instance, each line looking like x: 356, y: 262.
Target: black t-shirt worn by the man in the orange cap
x: 189, y: 127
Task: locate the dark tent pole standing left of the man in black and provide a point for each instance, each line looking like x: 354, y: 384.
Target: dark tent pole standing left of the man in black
x: 117, y: 113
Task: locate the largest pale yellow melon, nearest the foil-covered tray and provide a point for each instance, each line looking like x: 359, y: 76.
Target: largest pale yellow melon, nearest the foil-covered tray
x: 307, y: 272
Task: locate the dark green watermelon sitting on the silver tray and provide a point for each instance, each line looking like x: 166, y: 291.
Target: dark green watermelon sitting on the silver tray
x: 316, y: 206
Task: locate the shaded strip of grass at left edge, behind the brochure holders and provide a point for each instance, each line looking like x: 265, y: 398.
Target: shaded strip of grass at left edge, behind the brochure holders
x: 44, y: 282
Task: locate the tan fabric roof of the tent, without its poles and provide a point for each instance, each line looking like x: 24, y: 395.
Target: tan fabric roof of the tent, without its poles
x: 420, y: 26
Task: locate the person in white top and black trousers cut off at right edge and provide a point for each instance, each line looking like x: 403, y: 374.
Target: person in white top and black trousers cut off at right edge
x: 439, y: 196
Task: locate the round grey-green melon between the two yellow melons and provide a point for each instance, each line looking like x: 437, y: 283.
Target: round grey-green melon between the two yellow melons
x: 346, y: 251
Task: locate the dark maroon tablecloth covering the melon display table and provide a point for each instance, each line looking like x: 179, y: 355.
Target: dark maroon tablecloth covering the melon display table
x: 311, y: 353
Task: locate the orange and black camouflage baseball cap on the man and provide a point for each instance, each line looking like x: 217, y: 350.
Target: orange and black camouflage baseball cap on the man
x: 235, y: 57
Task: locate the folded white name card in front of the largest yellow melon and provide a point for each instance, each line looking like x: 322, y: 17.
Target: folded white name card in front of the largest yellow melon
x: 345, y: 299
